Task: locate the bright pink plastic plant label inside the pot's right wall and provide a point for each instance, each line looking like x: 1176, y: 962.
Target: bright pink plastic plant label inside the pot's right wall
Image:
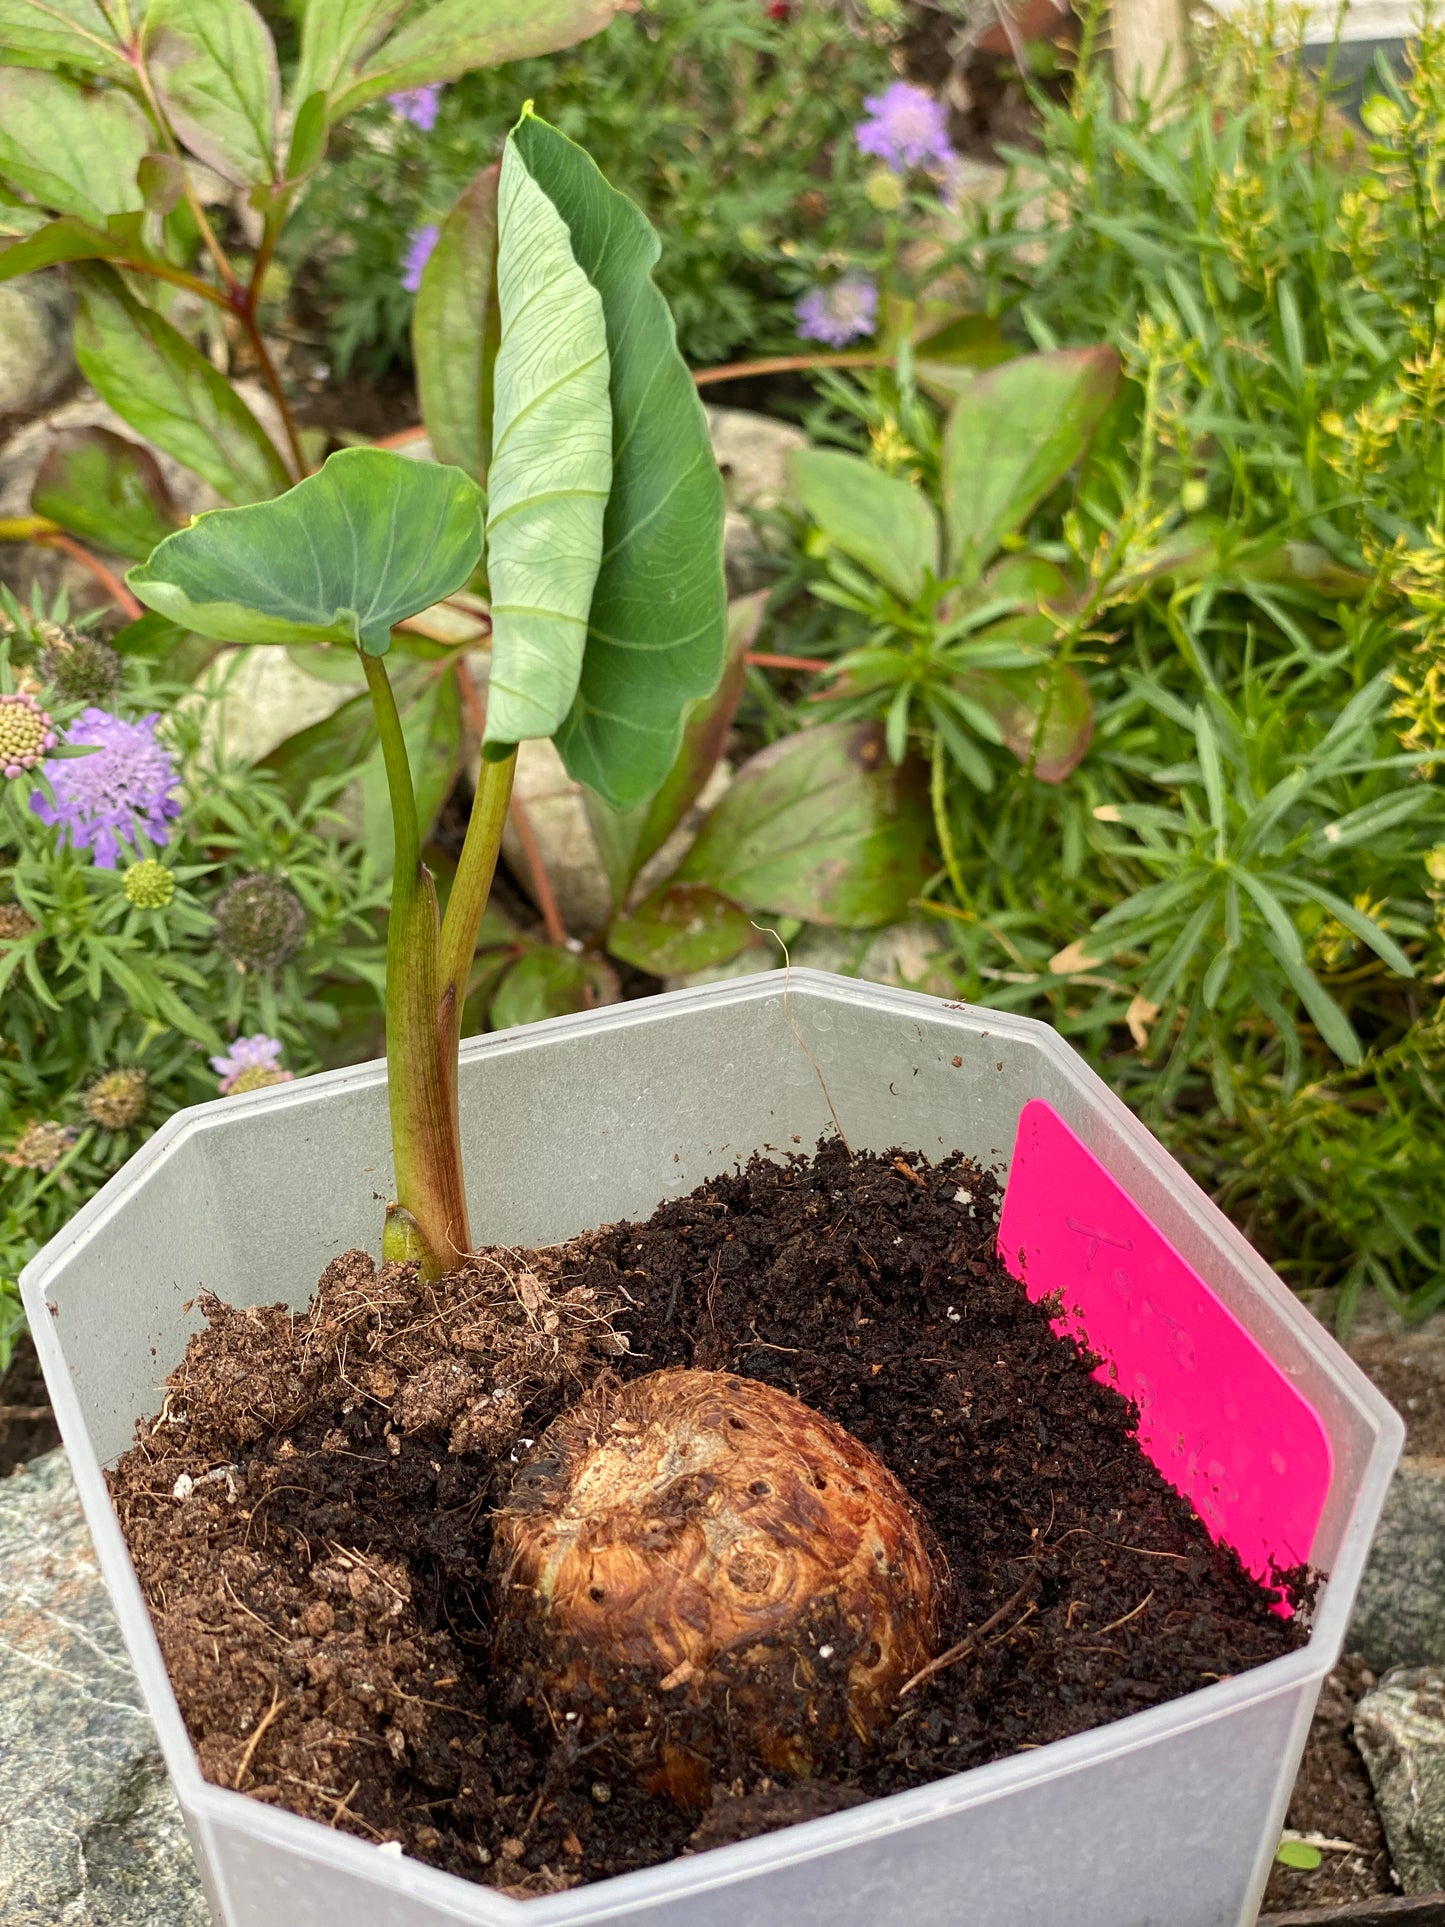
x: 1219, y: 1417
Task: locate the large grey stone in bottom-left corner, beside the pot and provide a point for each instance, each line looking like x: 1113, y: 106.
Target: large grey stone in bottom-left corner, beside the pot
x: 90, y: 1830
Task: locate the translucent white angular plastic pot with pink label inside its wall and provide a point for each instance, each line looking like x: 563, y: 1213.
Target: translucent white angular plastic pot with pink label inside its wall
x: 1167, y: 1818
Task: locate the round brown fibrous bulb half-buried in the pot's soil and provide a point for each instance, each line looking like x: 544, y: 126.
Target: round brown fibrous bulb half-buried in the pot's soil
x: 714, y: 1577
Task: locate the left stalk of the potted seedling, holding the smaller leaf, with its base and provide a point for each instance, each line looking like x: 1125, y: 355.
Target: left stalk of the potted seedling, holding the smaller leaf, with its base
x: 421, y: 1040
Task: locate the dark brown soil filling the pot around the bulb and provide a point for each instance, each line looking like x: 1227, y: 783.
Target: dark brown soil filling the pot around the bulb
x: 311, y: 1512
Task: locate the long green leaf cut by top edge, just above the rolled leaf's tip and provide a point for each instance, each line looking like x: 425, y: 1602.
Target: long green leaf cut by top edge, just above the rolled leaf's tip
x: 458, y: 36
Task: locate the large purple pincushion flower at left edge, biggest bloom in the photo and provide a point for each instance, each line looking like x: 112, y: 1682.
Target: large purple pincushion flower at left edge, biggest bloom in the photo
x: 124, y: 787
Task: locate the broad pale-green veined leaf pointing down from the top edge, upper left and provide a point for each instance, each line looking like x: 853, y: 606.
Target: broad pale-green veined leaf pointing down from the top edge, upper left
x: 215, y: 70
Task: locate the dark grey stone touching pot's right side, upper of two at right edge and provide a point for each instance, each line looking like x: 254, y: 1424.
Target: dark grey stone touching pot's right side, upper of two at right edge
x: 1400, y: 1616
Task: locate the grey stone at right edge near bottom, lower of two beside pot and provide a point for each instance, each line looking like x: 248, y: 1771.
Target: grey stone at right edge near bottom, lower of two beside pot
x: 1400, y: 1729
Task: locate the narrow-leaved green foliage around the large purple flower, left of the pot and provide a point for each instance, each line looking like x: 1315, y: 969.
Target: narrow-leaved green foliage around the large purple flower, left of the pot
x: 118, y: 970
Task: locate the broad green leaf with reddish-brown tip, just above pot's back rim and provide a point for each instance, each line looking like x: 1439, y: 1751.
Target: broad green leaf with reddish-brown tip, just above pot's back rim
x: 820, y: 826
